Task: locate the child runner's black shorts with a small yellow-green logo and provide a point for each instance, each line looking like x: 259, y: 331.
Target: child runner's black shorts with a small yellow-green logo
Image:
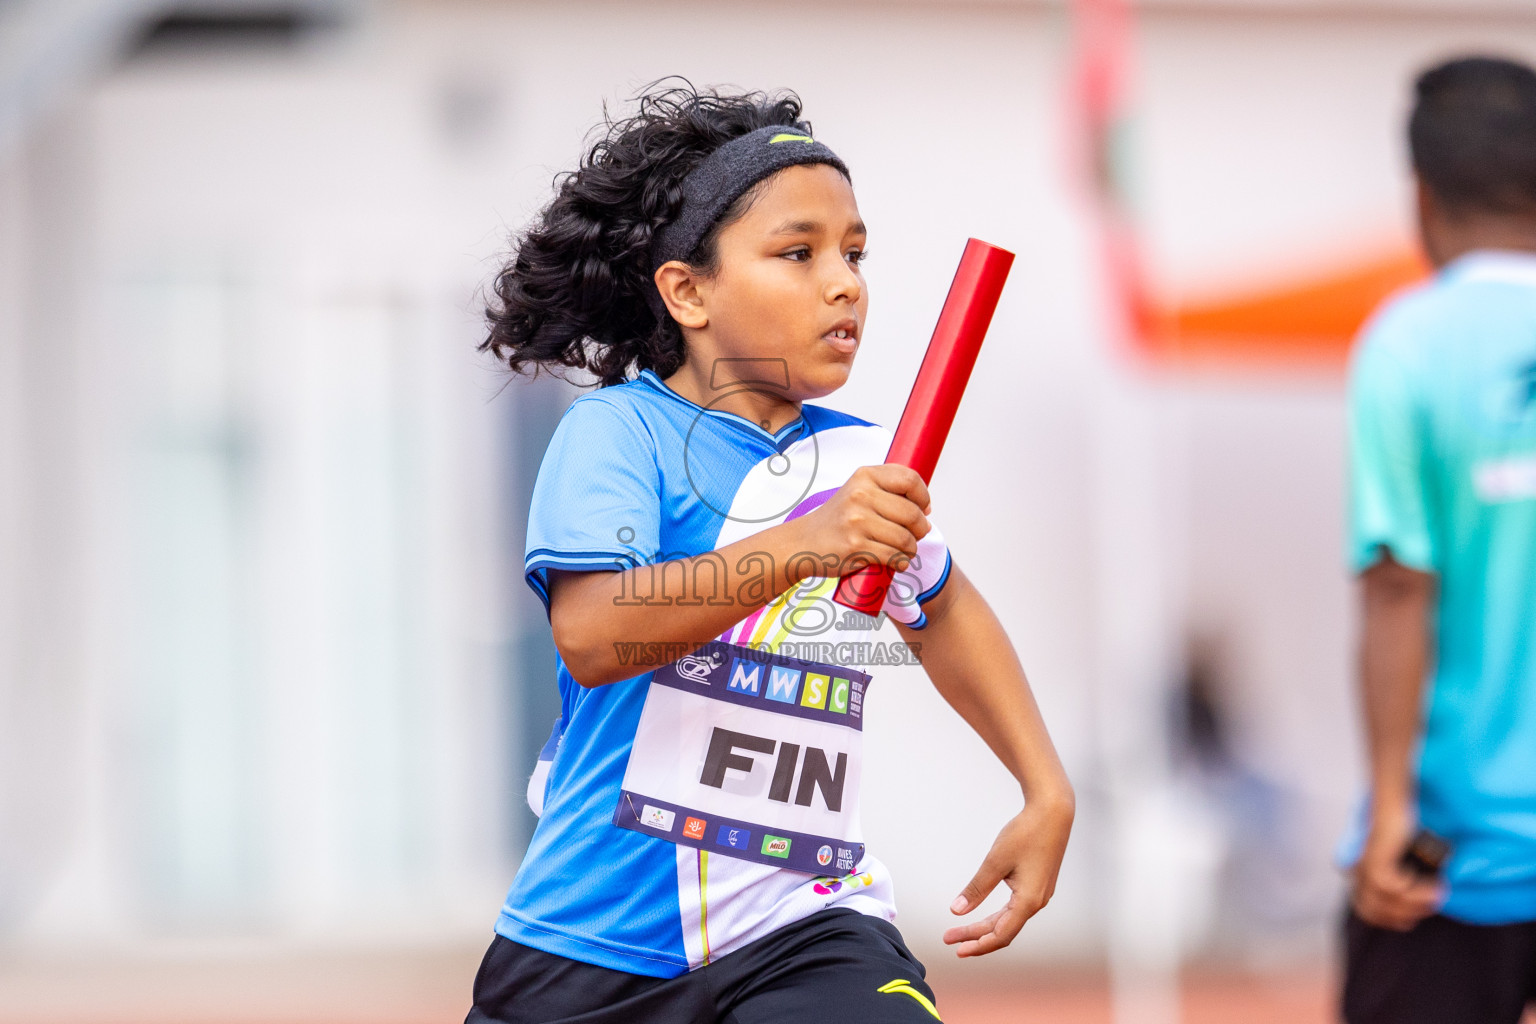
x: 832, y: 968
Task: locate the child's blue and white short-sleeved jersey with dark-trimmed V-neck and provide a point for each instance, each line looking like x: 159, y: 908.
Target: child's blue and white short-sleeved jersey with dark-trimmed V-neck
x: 638, y: 475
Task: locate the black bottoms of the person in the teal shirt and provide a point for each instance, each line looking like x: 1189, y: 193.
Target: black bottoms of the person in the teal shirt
x: 1442, y: 973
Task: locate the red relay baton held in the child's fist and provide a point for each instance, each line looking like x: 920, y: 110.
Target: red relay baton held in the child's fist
x: 936, y: 395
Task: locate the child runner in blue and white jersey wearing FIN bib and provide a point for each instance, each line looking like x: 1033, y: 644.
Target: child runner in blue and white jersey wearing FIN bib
x: 700, y: 856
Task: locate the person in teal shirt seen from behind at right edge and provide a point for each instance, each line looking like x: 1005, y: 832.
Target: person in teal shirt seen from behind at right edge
x: 1443, y: 535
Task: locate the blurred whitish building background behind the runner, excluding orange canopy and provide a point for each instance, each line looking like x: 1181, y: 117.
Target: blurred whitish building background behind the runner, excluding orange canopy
x: 271, y: 682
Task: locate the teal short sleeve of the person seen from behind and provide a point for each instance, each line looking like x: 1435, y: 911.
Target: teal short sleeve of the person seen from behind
x: 1389, y: 498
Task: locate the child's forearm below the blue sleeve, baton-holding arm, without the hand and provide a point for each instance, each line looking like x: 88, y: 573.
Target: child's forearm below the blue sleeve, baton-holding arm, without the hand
x: 617, y: 626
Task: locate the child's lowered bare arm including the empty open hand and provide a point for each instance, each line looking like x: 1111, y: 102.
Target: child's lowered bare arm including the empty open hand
x: 970, y: 659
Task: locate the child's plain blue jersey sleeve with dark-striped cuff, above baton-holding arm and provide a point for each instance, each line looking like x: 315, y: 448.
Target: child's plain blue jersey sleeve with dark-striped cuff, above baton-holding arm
x: 597, y: 503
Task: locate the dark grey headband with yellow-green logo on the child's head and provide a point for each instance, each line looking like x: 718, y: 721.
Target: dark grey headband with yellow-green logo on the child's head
x: 723, y: 179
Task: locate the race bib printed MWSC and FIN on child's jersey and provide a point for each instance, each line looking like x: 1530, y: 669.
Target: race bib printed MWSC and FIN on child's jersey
x: 752, y: 756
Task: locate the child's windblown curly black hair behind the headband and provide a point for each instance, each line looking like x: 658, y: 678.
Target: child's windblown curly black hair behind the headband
x: 575, y: 291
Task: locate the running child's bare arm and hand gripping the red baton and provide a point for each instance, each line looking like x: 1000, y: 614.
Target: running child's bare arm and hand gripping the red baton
x: 680, y: 606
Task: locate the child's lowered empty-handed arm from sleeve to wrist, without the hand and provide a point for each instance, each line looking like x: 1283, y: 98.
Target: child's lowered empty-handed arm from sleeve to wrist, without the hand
x: 973, y: 666
